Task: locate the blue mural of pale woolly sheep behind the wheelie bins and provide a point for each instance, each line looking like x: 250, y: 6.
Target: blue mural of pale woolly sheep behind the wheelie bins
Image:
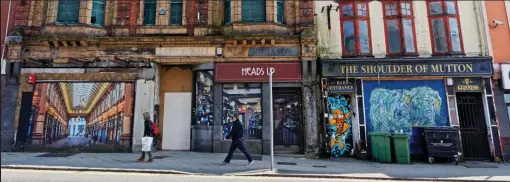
x: 396, y: 106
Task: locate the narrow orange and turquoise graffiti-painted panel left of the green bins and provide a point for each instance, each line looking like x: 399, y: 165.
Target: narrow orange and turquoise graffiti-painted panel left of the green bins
x: 339, y: 130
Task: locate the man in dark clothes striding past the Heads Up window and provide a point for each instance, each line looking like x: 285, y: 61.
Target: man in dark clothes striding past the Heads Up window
x: 237, y: 141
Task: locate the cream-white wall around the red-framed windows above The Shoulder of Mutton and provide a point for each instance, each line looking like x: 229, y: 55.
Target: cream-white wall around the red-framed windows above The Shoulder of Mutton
x: 330, y: 42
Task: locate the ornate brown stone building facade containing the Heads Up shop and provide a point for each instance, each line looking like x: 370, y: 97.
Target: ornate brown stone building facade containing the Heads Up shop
x: 192, y: 63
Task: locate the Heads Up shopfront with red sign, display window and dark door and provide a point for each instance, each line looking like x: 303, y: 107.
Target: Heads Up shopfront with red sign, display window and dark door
x: 243, y: 88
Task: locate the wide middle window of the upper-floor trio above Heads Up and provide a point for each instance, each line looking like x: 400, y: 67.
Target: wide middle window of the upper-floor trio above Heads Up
x: 254, y: 10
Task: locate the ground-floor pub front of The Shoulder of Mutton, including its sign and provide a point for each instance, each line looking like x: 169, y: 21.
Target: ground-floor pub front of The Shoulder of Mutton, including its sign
x: 395, y: 94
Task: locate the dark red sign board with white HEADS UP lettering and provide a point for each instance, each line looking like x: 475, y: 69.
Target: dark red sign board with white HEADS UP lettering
x: 257, y: 72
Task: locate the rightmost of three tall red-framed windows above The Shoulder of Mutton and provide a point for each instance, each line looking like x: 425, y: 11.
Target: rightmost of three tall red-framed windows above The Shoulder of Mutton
x: 444, y: 27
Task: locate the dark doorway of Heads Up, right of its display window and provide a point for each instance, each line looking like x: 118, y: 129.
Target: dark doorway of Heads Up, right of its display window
x: 288, y: 125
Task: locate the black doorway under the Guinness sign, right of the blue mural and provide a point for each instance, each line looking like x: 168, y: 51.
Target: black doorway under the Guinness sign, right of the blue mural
x: 473, y: 129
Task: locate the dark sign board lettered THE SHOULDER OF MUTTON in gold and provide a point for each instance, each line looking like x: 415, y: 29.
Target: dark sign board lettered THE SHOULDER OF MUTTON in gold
x: 375, y: 69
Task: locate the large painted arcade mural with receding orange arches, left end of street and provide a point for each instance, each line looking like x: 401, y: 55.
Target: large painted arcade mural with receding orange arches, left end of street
x: 81, y: 117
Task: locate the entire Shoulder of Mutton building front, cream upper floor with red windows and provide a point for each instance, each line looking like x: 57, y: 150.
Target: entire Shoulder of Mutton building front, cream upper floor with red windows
x: 391, y: 65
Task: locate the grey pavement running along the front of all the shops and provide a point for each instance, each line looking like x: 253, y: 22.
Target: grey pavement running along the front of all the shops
x: 178, y: 162
